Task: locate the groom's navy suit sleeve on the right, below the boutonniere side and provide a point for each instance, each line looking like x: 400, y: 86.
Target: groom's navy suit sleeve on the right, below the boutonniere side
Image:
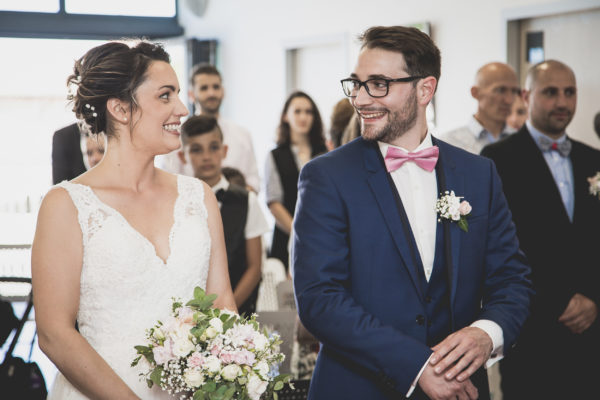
x: 507, y: 287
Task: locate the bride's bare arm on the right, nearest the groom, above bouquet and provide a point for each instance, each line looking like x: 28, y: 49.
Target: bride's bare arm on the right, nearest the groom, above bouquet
x: 218, y: 272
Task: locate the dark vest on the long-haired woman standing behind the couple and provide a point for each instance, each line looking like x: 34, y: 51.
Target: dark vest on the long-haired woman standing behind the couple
x: 288, y: 174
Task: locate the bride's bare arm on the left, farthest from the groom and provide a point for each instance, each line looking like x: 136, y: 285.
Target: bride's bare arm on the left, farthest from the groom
x: 56, y: 261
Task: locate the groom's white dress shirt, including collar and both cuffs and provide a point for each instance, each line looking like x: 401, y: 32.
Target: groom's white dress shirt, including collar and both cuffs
x: 418, y: 190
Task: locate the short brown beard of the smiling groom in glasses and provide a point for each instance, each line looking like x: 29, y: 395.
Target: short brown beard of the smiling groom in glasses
x: 399, y: 122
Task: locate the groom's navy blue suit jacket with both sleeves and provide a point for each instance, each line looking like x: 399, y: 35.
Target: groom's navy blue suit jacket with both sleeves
x: 356, y: 285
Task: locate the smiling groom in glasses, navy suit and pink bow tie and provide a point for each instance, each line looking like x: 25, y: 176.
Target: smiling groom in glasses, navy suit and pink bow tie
x: 406, y: 302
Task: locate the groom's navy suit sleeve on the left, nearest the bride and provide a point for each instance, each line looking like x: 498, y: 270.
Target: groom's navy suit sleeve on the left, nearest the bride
x: 323, y: 287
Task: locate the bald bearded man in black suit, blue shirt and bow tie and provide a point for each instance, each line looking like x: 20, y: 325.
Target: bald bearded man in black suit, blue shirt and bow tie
x: 545, y: 175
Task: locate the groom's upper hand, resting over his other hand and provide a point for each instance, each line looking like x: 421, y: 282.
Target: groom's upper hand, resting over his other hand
x: 461, y: 353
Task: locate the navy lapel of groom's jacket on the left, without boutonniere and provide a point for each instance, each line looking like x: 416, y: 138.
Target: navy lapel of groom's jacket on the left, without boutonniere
x: 397, y: 222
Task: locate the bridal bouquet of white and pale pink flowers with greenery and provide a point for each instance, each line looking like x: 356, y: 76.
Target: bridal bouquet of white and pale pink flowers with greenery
x: 203, y: 353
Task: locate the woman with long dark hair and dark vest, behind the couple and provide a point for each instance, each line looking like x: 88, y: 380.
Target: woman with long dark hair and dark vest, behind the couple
x: 299, y: 139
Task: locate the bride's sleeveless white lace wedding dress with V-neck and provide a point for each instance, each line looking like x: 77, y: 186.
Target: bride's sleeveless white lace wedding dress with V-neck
x: 125, y: 286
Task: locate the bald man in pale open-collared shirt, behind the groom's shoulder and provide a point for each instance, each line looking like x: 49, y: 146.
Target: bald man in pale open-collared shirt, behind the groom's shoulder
x: 495, y: 89
